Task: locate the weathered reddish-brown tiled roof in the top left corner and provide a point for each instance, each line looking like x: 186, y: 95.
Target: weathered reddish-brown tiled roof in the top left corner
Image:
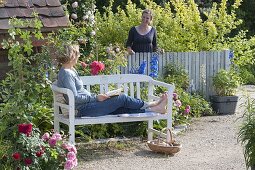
x: 50, y: 13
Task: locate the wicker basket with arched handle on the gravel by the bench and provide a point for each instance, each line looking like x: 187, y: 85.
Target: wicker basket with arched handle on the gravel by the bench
x: 166, y: 147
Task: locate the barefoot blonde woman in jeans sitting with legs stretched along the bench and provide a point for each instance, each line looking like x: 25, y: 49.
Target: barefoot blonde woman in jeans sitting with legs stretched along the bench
x: 89, y: 104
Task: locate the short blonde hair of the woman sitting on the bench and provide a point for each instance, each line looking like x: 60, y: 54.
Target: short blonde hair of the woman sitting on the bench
x: 64, y: 54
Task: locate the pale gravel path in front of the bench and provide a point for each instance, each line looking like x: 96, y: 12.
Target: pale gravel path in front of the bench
x: 210, y: 143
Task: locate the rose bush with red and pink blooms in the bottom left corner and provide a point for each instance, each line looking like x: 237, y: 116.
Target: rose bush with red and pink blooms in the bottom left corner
x: 33, y: 151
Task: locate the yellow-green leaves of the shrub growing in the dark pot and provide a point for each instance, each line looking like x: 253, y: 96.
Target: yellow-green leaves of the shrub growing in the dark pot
x: 226, y: 82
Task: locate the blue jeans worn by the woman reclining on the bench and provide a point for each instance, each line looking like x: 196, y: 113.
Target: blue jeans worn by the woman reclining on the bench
x: 114, y: 105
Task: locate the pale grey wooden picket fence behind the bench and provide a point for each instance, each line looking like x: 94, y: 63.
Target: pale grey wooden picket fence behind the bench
x: 200, y: 66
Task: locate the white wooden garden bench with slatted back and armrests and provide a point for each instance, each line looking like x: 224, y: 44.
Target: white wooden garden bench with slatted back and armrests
x: 132, y: 84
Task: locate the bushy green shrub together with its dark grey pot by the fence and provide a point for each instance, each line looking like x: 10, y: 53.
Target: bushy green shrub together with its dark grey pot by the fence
x: 225, y: 83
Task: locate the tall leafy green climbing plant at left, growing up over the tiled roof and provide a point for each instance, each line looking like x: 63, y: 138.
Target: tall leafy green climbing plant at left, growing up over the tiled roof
x: 24, y: 93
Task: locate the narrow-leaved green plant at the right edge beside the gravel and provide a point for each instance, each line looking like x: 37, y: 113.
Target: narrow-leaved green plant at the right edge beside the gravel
x: 246, y: 132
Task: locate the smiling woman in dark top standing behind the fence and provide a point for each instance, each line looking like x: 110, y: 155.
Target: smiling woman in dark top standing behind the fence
x: 142, y: 38
